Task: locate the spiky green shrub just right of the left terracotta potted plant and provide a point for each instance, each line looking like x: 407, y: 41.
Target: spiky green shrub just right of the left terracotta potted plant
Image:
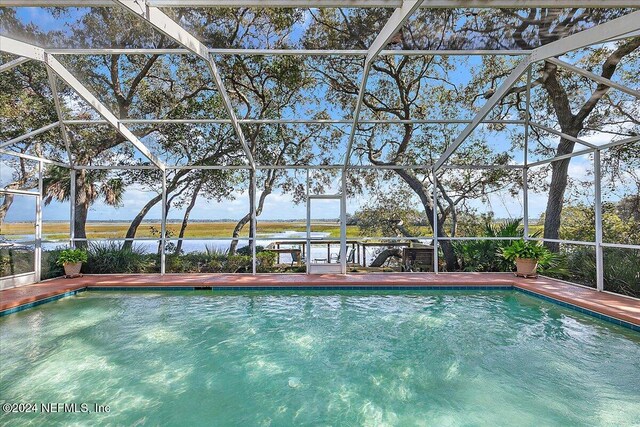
x: 104, y: 258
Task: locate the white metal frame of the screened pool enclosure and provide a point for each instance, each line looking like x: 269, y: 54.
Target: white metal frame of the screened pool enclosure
x: 148, y: 10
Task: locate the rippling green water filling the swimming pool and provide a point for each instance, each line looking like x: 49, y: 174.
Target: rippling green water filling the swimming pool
x: 443, y: 358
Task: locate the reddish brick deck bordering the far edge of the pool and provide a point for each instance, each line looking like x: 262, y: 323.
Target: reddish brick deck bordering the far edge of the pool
x: 614, y: 306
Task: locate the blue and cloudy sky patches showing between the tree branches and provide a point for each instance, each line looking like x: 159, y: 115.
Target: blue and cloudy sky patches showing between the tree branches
x: 278, y: 205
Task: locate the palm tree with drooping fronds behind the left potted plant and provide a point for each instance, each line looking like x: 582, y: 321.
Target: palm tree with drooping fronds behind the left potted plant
x: 91, y: 185
